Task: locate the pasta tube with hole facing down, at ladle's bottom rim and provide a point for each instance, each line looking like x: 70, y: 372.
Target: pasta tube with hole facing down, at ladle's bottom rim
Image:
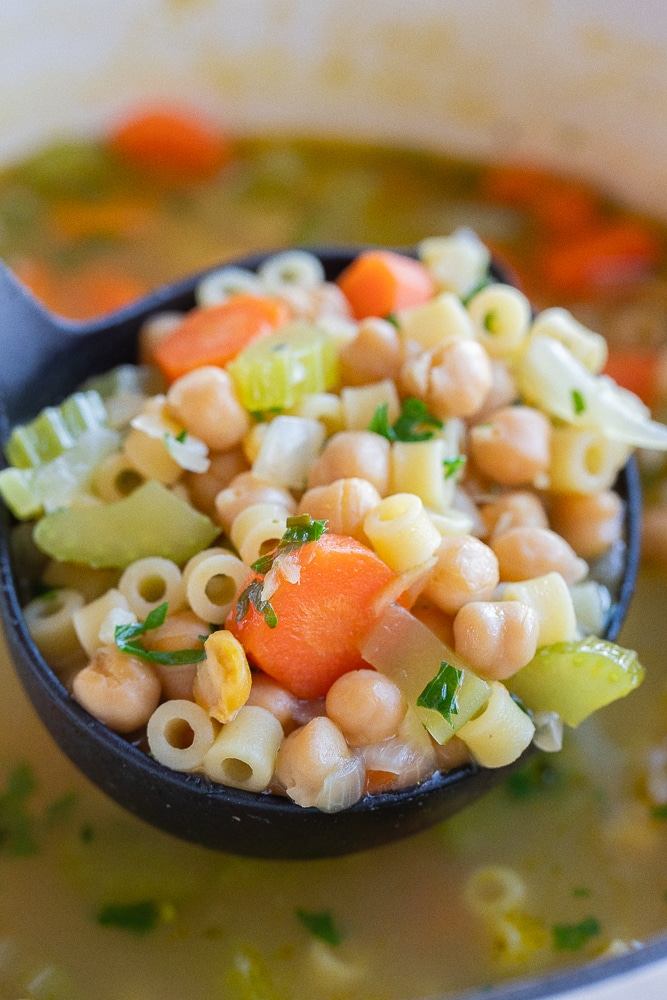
x: 244, y: 752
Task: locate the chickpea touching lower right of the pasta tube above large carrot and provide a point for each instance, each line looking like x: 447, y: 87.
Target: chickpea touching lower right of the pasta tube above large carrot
x: 466, y: 570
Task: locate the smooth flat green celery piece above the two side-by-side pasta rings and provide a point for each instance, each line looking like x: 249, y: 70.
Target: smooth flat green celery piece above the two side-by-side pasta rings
x: 151, y: 521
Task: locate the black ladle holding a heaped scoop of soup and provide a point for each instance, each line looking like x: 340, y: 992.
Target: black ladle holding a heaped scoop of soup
x: 44, y: 358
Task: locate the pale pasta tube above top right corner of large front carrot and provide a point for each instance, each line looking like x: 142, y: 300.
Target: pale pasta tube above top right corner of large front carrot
x: 401, y: 531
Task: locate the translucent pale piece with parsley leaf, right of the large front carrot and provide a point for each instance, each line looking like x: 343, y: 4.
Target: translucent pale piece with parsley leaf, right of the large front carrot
x: 404, y: 649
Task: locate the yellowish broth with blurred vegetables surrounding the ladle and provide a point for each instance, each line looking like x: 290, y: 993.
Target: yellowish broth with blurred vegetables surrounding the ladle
x: 563, y: 864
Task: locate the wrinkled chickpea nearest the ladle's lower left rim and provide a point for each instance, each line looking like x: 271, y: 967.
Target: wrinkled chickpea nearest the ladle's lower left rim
x: 121, y: 691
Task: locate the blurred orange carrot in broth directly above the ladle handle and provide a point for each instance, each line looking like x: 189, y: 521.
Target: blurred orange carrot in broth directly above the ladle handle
x: 82, y: 294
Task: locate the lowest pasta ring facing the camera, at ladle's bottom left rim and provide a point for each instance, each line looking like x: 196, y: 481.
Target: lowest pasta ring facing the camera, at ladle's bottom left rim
x: 180, y: 734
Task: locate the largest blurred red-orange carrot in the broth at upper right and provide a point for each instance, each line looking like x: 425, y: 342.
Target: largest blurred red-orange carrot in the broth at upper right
x: 614, y: 255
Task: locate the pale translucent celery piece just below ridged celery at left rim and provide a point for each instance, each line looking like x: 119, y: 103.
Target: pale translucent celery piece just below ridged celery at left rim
x: 30, y: 492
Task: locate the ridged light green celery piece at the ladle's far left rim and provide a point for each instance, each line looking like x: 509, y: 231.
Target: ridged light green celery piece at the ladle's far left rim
x: 55, y: 430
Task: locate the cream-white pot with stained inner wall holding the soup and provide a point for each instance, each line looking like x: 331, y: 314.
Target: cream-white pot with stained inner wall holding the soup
x: 578, y: 85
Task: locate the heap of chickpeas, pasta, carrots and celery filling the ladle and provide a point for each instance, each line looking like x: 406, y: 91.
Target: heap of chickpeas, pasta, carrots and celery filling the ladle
x: 354, y: 551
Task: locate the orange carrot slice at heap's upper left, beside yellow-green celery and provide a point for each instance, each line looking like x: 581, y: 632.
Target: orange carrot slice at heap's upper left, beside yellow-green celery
x: 213, y: 335
